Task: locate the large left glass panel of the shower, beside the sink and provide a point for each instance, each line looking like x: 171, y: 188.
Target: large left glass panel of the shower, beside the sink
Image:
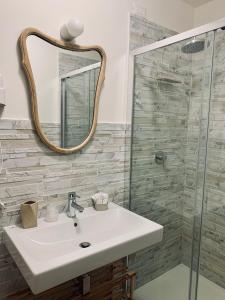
x: 165, y: 155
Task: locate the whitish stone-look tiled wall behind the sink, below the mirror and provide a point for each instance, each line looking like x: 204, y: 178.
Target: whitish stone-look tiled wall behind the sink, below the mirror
x: 29, y: 170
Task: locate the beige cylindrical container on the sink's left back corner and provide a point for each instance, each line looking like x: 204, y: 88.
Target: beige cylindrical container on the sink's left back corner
x: 29, y: 211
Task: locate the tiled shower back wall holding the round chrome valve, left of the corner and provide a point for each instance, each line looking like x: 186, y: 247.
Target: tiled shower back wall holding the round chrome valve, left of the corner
x: 159, y: 124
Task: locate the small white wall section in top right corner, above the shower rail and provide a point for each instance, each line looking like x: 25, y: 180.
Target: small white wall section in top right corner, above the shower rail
x: 209, y: 12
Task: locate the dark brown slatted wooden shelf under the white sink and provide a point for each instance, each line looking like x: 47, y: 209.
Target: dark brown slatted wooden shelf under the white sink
x: 107, y: 283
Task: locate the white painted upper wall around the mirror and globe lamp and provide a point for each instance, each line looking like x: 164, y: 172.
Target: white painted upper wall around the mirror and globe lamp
x: 106, y: 24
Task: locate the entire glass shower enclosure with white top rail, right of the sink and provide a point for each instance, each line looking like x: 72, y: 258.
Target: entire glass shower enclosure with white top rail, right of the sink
x: 177, y: 164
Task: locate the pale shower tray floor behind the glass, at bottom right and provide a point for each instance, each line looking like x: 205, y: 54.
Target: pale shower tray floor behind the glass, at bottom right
x: 173, y: 285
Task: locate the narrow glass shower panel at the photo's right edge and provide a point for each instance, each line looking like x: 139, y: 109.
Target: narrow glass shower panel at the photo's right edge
x: 212, y: 251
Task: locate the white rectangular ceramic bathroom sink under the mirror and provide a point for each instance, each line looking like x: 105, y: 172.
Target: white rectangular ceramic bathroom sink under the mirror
x: 53, y: 253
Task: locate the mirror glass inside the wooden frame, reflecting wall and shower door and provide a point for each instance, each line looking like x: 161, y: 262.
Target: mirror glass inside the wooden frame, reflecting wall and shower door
x: 66, y: 84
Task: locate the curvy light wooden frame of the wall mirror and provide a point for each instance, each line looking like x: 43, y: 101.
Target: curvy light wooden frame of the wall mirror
x: 32, y: 88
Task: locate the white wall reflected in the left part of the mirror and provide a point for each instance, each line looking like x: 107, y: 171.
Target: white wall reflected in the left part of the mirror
x: 44, y: 61
